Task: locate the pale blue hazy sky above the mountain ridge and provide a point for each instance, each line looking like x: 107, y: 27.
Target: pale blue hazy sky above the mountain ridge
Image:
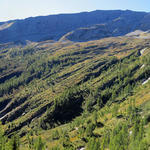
x: 18, y: 9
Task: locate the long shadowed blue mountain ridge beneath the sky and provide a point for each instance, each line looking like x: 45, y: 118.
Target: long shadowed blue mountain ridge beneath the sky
x: 72, y: 26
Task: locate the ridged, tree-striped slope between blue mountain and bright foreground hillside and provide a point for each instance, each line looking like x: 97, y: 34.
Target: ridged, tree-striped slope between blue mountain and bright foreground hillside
x: 34, y: 78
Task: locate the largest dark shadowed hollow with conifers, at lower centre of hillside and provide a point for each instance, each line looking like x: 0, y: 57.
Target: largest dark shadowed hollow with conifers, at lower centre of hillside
x: 64, y: 106
